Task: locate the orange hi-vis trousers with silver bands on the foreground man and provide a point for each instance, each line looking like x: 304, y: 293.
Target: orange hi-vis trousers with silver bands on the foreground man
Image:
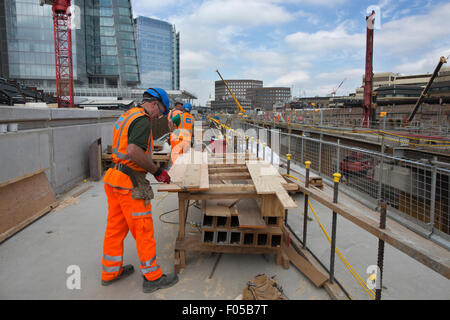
x: 128, y: 214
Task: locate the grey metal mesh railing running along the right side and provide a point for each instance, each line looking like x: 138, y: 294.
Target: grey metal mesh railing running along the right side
x: 414, y: 191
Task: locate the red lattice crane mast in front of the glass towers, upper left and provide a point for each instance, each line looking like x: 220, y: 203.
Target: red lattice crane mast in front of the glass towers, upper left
x: 63, y: 51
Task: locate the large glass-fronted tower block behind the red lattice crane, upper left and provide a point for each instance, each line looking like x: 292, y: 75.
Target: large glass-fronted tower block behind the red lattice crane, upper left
x: 103, y: 43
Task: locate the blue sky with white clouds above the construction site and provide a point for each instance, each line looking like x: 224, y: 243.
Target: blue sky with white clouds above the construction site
x: 310, y: 46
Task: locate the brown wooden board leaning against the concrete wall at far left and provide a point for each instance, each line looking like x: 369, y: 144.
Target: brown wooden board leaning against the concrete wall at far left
x: 24, y: 200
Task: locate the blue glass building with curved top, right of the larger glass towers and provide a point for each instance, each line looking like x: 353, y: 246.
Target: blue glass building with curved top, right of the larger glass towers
x: 158, y: 53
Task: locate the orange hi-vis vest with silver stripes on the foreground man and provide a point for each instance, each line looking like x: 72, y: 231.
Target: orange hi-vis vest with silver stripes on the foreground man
x: 114, y: 177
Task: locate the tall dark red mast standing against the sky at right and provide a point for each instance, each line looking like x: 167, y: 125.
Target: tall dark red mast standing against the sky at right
x: 367, y: 103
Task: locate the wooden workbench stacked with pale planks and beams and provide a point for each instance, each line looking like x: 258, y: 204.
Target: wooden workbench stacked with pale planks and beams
x: 244, y: 202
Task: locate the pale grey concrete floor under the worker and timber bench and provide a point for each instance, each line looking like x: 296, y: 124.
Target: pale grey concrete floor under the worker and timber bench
x: 37, y: 262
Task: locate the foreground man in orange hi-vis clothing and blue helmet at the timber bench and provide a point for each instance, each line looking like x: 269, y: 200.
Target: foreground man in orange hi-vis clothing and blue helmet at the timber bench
x: 129, y: 193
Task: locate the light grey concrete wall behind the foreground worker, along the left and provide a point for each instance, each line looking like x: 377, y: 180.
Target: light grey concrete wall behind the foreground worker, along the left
x: 57, y: 139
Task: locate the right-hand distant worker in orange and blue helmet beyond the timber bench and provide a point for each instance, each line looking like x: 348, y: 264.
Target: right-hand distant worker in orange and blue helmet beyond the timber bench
x: 181, y: 137
